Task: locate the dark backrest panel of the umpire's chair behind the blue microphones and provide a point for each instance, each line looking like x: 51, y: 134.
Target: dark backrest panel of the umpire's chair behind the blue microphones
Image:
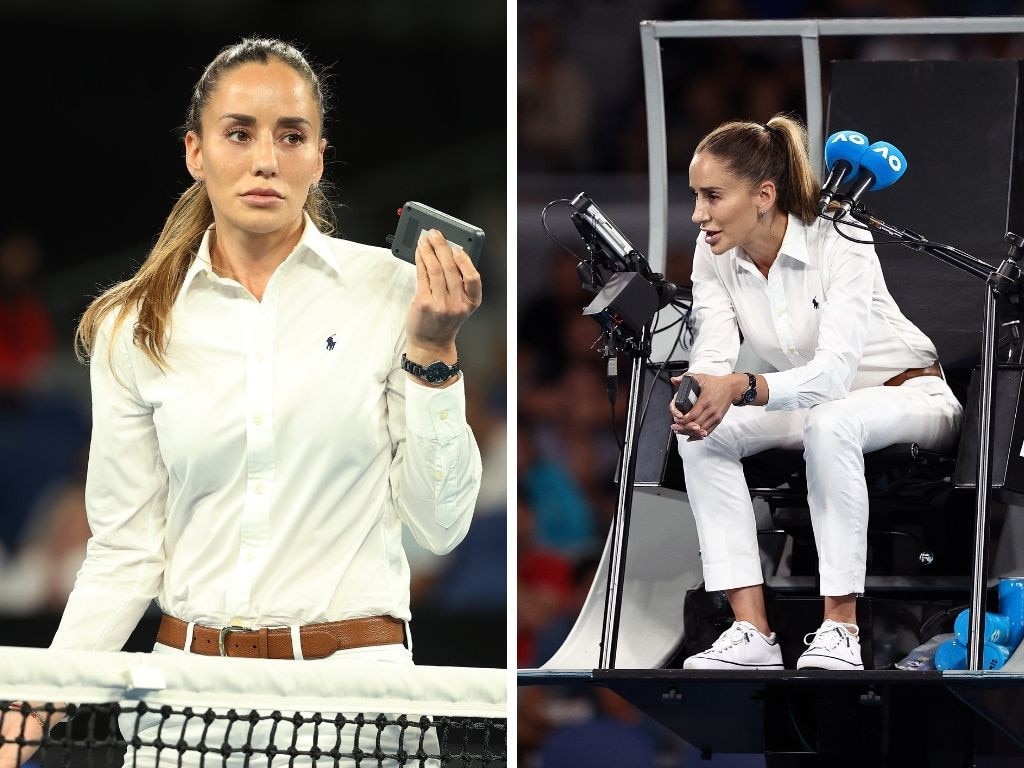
x: 960, y: 125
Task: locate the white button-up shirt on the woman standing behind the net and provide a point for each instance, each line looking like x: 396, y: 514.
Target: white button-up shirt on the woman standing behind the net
x: 264, y: 479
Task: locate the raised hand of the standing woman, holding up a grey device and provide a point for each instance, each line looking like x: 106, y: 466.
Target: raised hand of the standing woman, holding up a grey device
x: 448, y: 291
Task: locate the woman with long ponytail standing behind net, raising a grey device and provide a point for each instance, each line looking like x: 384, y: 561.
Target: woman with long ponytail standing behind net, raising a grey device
x: 259, y: 439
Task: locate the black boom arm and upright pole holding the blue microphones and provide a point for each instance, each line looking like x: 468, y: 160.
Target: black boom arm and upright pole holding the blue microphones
x: 1004, y: 282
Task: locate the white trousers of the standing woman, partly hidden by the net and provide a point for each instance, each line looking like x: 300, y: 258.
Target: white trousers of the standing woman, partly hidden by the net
x: 282, y: 736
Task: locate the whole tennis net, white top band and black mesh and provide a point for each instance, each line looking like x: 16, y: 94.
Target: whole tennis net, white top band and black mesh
x: 158, y: 711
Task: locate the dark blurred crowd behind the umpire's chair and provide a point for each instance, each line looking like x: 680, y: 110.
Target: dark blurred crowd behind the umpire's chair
x: 581, y: 122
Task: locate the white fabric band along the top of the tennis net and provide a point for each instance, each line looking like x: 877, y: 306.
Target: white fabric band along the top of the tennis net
x: 39, y: 674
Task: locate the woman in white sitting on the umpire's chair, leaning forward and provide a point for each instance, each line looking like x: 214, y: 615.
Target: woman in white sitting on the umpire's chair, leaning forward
x: 852, y: 375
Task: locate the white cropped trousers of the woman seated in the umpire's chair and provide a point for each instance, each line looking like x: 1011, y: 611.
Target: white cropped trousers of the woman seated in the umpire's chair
x: 835, y: 438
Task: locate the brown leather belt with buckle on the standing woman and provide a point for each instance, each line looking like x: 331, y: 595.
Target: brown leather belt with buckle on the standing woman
x: 317, y: 641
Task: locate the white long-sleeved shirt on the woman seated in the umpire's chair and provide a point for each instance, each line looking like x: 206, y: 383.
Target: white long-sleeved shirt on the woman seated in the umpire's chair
x: 824, y: 319
